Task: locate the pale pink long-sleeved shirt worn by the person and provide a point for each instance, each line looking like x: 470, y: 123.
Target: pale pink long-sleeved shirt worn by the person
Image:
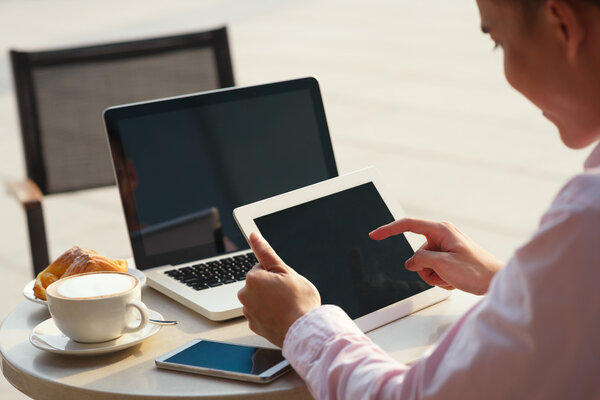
x: 535, y: 335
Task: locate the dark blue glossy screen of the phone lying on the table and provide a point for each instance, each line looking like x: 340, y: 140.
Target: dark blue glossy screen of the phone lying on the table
x: 227, y: 357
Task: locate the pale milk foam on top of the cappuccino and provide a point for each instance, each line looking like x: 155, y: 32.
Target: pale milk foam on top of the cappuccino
x: 95, y: 285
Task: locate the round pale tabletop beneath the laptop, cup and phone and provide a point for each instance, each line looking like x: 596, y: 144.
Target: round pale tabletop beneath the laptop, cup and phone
x: 131, y: 373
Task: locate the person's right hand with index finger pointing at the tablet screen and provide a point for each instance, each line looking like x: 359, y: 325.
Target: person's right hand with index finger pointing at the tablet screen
x: 449, y: 259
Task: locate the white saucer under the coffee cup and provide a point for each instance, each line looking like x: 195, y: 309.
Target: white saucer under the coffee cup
x: 46, y: 336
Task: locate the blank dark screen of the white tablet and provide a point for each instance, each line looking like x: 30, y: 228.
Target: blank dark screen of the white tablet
x: 326, y: 240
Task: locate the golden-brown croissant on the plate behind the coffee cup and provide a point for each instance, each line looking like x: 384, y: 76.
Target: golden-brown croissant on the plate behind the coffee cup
x: 74, y: 261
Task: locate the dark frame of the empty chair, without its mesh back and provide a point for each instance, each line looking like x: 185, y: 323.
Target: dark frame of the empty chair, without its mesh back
x: 30, y: 192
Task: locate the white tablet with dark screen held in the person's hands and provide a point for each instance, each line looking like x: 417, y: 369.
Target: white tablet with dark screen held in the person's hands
x: 322, y: 231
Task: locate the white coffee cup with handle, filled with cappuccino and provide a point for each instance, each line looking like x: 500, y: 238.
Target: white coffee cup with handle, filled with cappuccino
x: 97, y: 306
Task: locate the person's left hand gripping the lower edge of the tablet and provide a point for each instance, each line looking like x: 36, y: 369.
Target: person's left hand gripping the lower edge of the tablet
x: 275, y: 295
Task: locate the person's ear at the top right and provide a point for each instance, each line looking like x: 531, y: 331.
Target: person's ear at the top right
x: 567, y: 26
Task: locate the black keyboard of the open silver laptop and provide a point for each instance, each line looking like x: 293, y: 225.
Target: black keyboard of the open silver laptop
x: 214, y: 273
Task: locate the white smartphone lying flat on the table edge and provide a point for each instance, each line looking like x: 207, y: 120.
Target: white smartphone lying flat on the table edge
x: 226, y: 360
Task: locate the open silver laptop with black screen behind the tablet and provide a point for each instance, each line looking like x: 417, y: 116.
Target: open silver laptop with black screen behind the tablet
x: 184, y: 163
